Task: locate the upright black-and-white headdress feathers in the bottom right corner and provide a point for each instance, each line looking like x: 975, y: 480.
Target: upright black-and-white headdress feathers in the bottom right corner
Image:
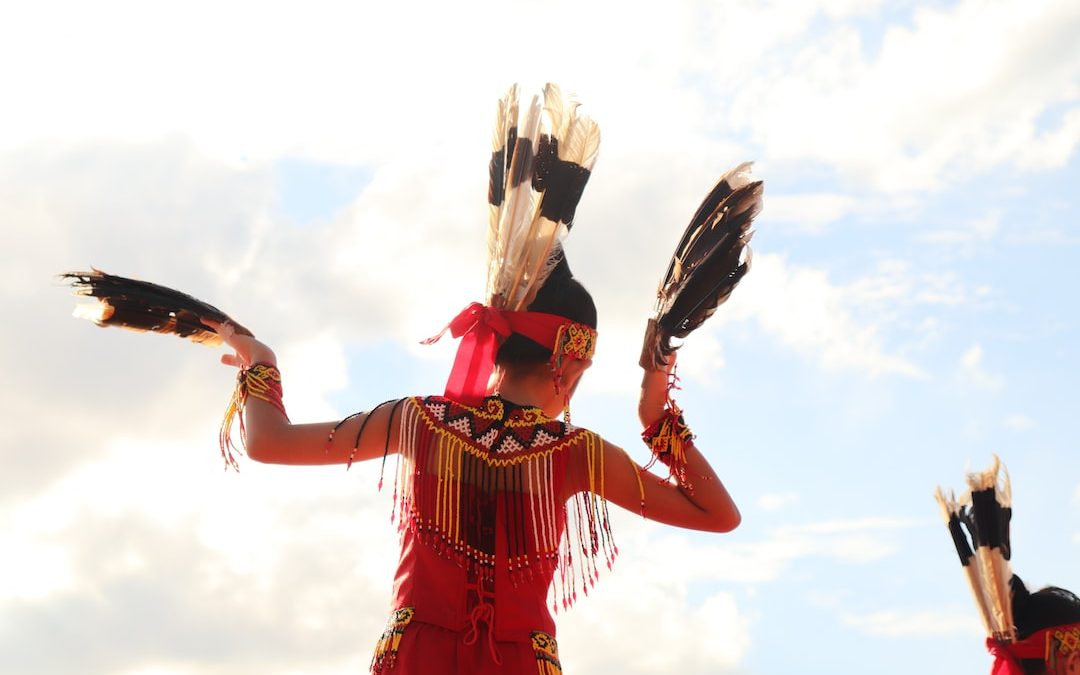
x: 979, y: 524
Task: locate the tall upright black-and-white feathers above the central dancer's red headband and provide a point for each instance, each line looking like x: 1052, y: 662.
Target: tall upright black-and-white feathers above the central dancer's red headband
x: 542, y: 160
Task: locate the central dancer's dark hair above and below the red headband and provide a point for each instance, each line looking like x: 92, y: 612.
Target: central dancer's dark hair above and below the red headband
x: 563, y: 295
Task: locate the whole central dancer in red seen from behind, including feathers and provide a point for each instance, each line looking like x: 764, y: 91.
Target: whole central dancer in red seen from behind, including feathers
x: 503, y: 507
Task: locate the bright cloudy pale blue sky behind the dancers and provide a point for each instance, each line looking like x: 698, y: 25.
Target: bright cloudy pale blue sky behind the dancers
x: 320, y: 174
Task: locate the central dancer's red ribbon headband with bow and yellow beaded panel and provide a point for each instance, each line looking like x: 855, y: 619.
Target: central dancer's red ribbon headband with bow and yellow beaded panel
x: 481, y: 329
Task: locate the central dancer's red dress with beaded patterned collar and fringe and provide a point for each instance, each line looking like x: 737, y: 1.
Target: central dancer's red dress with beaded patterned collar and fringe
x: 485, y: 538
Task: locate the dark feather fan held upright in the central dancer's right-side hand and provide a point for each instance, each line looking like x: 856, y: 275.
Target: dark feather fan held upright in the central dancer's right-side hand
x: 709, y: 263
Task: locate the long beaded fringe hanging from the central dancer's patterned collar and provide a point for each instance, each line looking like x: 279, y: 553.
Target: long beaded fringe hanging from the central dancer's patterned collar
x: 570, y: 541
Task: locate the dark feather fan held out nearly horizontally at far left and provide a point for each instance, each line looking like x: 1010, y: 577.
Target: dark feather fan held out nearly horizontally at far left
x: 146, y: 307
